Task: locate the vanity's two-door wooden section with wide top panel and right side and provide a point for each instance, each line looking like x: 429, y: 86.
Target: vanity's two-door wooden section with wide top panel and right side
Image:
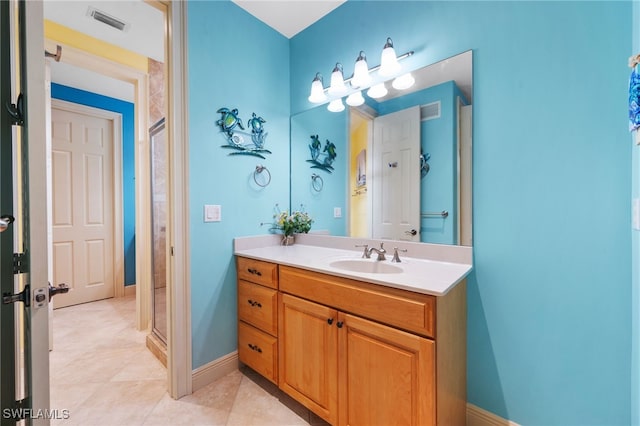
x: 357, y: 353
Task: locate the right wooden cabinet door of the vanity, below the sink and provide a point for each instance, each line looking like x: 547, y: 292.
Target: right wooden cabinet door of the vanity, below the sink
x: 387, y: 376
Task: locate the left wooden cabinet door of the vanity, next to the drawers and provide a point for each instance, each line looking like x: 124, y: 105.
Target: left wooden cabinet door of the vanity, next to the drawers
x: 308, y: 354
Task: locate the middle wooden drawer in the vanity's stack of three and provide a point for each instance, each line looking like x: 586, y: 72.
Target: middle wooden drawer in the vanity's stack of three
x: 257, y: 305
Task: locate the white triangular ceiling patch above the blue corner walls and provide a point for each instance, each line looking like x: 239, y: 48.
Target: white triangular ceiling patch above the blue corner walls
x: 288, y: 17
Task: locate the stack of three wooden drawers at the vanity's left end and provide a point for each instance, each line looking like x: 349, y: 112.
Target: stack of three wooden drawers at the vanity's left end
x: 258, y: 316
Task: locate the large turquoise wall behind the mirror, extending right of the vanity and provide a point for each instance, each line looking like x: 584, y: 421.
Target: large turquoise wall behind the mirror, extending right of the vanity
x: 549, y: 319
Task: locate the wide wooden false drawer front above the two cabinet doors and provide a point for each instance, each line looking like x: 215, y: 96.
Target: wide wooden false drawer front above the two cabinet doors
x: 404, y: 309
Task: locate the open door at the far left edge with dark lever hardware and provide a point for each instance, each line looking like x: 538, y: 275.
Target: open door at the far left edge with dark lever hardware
x: 24, y: 363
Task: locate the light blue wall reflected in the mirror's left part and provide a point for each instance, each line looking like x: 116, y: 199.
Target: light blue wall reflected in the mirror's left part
x: 319, y: 204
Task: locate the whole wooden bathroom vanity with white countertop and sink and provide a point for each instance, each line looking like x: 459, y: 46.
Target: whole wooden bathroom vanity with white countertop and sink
x: 357, y: 341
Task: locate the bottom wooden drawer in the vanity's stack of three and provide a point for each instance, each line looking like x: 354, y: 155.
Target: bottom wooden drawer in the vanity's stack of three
x: 258, y: 350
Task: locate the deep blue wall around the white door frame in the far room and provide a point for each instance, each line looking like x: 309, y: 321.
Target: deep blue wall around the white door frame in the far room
x: 94, y: 100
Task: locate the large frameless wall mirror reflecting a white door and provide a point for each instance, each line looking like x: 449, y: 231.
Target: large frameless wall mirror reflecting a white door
x: 397, y: 167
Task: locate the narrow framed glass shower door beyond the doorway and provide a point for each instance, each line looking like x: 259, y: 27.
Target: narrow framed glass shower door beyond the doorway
x: 159, y: 197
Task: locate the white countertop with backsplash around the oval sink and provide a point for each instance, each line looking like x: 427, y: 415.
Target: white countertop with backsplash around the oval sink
x: 316, y: 253
